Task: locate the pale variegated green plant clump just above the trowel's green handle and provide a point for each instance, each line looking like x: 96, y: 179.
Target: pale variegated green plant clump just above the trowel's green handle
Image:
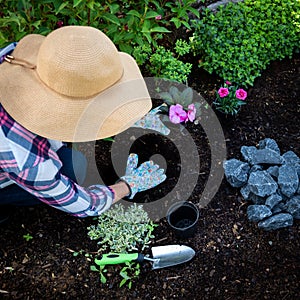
x: 122, y: 230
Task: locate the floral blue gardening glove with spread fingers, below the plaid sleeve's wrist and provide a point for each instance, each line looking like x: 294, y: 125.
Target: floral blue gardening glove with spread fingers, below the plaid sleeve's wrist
x: 144, y: 177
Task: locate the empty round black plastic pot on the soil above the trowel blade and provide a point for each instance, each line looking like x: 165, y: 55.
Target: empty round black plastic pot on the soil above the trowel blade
x: 183, y: 217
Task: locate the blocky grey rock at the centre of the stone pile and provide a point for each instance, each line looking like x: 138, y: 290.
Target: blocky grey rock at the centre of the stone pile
x: 262, y: 184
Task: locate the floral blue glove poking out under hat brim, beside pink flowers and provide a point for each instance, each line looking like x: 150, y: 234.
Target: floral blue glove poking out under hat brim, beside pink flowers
x: 152, y: 121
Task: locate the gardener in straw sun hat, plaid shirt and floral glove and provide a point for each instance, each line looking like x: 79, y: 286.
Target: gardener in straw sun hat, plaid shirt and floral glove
x: 73, y: 86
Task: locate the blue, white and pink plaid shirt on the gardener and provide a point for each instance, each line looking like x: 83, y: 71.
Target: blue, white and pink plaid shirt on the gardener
x: 31, y: 162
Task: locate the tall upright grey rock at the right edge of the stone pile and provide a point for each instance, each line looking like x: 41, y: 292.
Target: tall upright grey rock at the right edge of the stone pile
x: 288, y: 180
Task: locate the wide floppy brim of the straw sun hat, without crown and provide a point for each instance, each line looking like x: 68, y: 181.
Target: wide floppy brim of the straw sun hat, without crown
x: 52, y: 115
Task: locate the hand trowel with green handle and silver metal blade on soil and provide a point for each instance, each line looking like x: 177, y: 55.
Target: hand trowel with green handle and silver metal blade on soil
x: 162, y: 256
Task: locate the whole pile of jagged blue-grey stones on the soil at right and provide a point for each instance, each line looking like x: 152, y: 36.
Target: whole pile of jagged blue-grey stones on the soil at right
x: 269, y: 181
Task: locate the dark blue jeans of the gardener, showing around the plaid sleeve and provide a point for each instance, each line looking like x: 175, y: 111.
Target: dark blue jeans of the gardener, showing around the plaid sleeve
x: 74, y: 166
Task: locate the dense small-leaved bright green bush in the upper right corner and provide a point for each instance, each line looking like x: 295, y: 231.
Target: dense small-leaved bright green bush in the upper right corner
x: 241, y: 39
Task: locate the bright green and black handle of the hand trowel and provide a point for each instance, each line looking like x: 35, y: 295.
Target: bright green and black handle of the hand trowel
x: 118, y: 258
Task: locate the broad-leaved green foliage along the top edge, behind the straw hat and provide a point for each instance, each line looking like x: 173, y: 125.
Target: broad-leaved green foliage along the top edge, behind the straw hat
x: 128, y: 23
